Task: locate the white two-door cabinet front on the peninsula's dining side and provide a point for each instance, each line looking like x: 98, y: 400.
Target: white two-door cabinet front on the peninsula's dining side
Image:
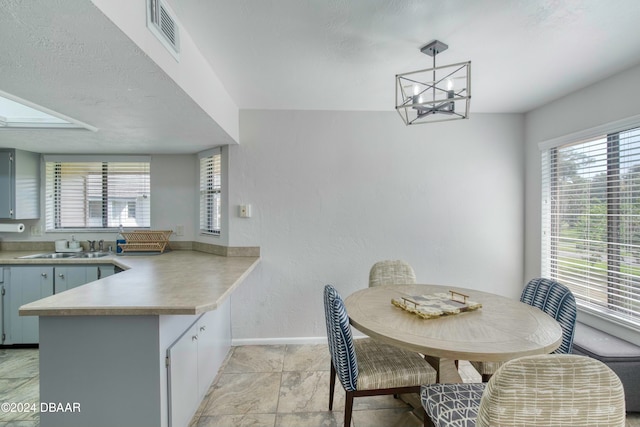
x: 192, y: 364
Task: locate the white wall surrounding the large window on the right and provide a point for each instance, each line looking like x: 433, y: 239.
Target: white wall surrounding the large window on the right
x: 608, y: 101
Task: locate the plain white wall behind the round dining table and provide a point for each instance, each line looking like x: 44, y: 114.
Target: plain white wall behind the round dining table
x: 333, y: 192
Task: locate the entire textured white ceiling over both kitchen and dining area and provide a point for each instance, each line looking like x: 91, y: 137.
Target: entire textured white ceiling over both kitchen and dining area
x: 297, y: 54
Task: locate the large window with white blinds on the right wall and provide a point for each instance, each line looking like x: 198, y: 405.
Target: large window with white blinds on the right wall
x: 591, y: 222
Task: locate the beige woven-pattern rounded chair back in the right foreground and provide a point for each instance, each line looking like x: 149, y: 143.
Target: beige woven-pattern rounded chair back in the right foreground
x: 552, y: 390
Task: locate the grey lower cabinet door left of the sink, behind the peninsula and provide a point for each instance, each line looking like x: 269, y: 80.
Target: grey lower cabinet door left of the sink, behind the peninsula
x: 27, y: 284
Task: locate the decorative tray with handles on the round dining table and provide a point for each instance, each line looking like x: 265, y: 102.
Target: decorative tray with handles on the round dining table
x: 436, y: 305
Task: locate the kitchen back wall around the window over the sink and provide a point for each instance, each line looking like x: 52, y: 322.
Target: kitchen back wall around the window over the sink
x: 174, y: 200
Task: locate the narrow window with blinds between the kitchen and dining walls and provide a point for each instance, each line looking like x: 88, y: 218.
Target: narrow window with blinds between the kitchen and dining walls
x: 210, y: 192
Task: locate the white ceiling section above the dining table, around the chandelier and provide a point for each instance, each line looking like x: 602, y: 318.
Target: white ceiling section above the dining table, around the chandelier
x: 344, y: 54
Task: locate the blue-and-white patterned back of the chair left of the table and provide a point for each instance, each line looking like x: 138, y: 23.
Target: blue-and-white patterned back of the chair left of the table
x: 343, y: 354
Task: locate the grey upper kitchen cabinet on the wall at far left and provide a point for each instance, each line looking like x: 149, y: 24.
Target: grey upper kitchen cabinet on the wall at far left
x: 19, y: 184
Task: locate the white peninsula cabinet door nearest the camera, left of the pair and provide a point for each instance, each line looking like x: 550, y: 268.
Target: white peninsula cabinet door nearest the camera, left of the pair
x: 182, y: 377
